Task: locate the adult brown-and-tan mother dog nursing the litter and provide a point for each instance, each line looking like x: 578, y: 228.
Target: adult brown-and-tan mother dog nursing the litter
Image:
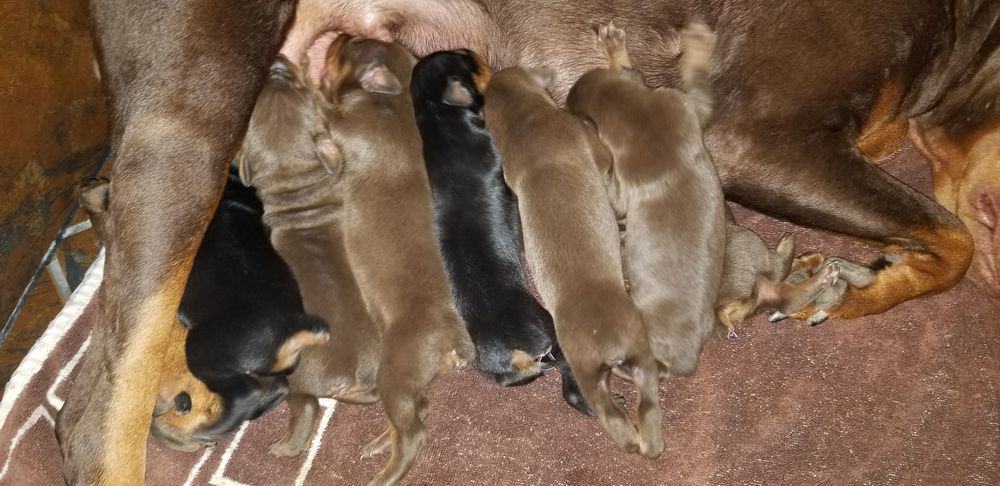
x: 808, y: 93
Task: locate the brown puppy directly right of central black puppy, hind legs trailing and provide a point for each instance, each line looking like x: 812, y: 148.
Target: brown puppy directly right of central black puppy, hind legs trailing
x: 551, y: 161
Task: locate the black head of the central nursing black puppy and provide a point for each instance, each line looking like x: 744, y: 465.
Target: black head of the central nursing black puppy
x: 450, y: 80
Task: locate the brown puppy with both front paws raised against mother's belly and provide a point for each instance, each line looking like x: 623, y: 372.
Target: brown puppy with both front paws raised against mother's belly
x: 664, y: 185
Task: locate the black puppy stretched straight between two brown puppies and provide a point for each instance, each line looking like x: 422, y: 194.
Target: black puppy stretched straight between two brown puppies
x: 477, y: 225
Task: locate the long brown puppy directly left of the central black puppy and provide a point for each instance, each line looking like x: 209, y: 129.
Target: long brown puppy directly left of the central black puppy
x: 389, y: 234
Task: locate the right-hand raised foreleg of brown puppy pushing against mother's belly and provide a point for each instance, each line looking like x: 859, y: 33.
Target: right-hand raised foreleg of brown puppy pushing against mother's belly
x: 697, y: 43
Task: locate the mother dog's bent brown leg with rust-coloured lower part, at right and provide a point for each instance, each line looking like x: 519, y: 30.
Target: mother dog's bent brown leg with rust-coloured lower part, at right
x: 817, y: 178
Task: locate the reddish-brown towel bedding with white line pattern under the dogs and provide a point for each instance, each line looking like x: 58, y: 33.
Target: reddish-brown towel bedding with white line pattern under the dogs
x: 911, y: 396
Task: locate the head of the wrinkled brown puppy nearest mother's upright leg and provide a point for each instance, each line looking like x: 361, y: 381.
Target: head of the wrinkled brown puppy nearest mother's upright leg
x: 288, y: 140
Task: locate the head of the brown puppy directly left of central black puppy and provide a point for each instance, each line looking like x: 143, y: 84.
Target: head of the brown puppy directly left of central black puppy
x: 376, y: 67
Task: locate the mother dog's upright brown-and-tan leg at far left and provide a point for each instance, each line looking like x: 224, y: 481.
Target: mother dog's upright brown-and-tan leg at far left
x: 183, y: 77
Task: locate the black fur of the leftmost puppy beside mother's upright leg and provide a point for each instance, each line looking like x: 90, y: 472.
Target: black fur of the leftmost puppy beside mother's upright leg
x: 241, y: 304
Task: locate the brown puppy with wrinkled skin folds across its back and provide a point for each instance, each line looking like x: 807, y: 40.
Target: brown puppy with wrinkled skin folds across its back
x: 288, y: 156
